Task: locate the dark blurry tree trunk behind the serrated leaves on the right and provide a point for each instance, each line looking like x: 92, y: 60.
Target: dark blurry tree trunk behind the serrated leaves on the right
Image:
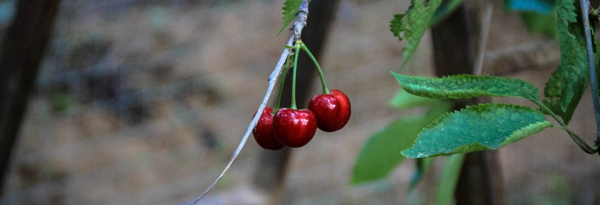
x: 478, y: 183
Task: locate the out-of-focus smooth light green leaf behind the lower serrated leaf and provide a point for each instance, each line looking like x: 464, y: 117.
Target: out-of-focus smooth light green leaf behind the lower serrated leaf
x: 381, y: 153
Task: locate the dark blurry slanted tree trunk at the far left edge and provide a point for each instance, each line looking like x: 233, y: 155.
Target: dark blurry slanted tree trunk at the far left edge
x: 22, y: 51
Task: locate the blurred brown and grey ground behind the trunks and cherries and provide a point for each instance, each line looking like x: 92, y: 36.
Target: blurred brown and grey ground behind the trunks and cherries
x: 144, y: 102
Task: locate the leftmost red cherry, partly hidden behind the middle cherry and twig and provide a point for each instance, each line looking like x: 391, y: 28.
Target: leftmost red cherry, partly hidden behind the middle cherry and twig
x: 263, y: 132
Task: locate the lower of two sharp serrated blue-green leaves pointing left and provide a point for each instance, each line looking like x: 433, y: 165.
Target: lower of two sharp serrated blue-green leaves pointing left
x: 476, y: 128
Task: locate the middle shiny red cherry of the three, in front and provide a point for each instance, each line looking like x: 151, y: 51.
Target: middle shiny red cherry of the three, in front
x: 294, y: 128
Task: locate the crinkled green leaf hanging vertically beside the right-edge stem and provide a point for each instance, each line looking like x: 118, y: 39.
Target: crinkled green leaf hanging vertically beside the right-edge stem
x: 569, y: 81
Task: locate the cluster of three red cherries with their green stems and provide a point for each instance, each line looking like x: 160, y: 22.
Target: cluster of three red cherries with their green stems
x: 294, y: 127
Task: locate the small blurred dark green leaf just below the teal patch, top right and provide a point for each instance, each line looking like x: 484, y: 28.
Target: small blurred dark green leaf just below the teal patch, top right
x: 540, y: 23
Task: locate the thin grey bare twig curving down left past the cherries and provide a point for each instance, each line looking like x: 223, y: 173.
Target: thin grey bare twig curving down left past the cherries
x: 298, y: 26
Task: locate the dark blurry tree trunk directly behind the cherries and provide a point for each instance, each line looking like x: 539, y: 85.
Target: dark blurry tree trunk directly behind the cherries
x: 270, y: 173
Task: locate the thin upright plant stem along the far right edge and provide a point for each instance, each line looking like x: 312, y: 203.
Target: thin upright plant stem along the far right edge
x: 590, y: 55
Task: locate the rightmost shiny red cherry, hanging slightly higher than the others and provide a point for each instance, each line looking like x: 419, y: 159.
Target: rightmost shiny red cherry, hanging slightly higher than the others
x: 332, y: 110
